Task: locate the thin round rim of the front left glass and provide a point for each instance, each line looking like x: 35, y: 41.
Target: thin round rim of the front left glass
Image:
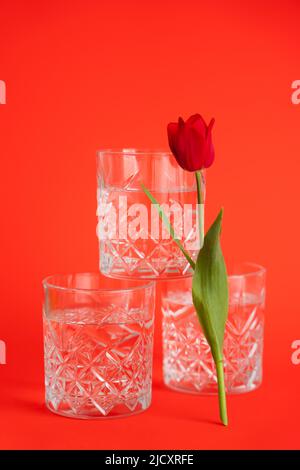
x: 47, y: 284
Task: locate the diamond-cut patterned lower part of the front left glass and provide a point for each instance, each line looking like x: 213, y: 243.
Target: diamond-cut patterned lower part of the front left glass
x: 95, y: 366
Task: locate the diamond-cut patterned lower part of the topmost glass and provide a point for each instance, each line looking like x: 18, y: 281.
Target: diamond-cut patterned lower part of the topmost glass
x: 148, y: 256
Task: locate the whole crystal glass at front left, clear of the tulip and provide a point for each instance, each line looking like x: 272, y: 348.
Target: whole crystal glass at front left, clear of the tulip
x: 98, y: 337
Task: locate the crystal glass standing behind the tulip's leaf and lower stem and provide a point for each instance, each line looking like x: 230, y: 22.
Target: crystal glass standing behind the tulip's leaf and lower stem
x: 187, y: 362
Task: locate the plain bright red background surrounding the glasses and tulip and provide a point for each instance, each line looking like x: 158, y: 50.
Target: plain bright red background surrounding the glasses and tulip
x: 87, y: 74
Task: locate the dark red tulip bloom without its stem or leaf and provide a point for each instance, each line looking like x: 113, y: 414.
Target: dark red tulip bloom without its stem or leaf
x: 191, y: 142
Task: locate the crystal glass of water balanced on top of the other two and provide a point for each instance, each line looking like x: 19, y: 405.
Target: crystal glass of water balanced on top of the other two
x: 133, y: 242
